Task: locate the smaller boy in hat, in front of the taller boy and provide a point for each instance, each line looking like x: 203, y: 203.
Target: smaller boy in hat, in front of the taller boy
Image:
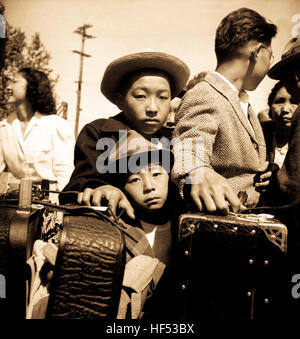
x: 146, y: 185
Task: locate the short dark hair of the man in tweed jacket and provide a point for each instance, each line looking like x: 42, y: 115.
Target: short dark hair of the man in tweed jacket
x: 239, y: 27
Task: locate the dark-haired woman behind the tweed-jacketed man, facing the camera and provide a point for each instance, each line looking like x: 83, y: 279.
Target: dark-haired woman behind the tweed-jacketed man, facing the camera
x: 276, y: 131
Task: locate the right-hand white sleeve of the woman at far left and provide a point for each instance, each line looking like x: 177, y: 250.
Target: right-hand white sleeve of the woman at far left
x: 63, y: 152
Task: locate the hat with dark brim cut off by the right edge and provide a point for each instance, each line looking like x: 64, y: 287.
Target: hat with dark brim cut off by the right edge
x: 291, y: 54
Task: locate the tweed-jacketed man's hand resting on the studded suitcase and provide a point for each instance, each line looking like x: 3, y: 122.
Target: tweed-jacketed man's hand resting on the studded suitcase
x: 213, y: 192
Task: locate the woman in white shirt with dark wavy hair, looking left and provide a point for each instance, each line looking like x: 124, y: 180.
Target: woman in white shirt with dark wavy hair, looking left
x: 34, y: 141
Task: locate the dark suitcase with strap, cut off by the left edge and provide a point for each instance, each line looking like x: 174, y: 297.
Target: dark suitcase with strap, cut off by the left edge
x: 19, y: 229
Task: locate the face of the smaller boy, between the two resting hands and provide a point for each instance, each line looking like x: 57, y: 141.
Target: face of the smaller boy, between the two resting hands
x: 149, y: 188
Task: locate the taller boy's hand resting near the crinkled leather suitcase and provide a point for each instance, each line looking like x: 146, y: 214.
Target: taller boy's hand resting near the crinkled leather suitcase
x: 115, y: 198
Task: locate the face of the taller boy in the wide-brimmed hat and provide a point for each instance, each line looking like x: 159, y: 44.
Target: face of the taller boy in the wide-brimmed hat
x: 147, y: 103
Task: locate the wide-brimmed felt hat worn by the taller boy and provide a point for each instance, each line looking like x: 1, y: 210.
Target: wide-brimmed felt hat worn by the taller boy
x: 115, y: 72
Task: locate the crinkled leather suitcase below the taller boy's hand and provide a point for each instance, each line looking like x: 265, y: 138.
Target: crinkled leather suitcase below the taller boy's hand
x: 89, y: 269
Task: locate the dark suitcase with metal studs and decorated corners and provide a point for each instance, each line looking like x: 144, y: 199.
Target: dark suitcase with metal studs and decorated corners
x: 231, y: 267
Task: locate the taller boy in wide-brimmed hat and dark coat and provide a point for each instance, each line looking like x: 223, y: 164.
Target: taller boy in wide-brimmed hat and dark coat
x: 142, y: 86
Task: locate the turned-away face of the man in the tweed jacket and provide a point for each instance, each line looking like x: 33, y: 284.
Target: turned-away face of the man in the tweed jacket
x: 260, y: 63
